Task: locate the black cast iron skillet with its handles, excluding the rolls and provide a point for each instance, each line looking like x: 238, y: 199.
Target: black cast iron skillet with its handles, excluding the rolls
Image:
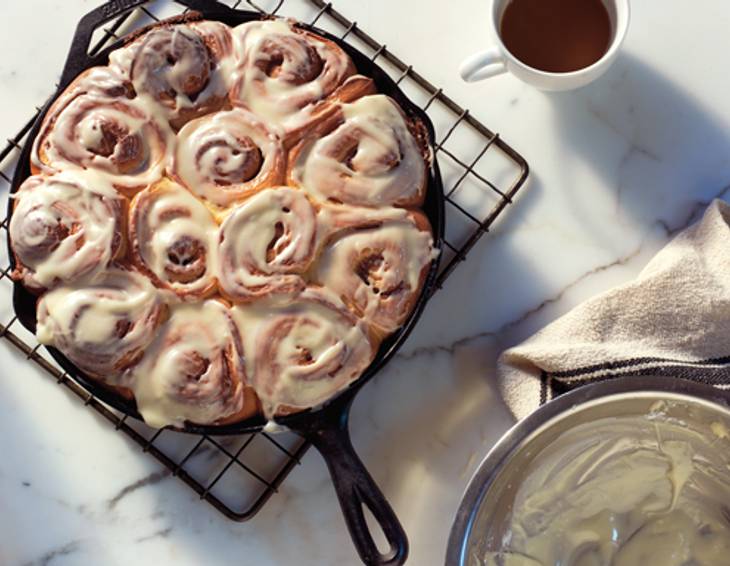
x: 327, y: 426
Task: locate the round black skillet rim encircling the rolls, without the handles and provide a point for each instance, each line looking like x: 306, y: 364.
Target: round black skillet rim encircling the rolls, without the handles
x: 24, y: 302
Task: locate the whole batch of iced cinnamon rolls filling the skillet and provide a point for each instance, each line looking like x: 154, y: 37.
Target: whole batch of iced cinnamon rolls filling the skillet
x: 223, y: 222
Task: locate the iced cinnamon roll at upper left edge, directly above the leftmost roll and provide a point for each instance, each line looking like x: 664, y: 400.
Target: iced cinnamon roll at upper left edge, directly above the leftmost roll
x: 112, y: 136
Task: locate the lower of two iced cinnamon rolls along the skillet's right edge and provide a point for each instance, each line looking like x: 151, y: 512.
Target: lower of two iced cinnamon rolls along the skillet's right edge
x: 378, y: 271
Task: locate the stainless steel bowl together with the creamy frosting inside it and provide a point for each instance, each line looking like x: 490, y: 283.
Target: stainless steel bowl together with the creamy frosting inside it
x: 623, y: 473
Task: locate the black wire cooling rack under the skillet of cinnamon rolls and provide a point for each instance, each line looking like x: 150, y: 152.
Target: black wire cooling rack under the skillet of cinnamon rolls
x: 481, y: 174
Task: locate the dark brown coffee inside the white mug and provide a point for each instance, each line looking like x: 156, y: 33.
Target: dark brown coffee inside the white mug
x: 558, y: 36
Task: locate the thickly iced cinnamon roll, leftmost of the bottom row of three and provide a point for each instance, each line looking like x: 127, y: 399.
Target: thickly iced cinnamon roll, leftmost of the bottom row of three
x: 102, y: 326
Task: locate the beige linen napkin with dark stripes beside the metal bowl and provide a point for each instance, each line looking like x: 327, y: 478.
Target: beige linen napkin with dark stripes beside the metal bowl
x: 673, y: 320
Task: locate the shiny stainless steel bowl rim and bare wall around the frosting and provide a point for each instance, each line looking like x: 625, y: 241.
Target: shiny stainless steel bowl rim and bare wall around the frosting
x: 486, y: 504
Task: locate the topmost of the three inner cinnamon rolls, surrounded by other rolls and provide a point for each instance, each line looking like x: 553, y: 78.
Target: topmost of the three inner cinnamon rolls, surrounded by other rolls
x: 226, y: 156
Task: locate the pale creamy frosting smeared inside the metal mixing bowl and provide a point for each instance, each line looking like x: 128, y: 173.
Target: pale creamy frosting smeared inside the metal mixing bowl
x: 623, y: 491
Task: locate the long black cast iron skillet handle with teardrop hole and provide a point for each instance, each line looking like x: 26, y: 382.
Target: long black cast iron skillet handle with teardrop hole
x: 355, y: 490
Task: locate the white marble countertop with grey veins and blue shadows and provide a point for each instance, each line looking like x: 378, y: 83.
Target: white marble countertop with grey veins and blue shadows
x: 617, y: 168
